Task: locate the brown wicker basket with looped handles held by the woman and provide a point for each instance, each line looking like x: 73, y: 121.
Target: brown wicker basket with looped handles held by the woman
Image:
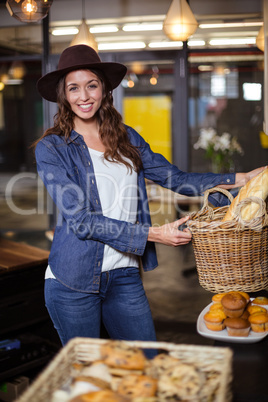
x: 231, y: 255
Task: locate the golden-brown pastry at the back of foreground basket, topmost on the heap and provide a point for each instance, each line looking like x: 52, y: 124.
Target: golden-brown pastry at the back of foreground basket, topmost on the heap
x: 120, y: 355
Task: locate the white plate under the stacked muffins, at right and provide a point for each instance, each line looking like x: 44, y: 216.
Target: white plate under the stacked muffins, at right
x: 223, y: 335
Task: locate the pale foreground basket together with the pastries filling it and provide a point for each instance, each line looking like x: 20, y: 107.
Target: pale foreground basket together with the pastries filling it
x: 102, y: 370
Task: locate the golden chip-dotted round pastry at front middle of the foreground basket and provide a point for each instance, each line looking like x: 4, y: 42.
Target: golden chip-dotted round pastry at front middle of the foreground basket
x: 133, y: 386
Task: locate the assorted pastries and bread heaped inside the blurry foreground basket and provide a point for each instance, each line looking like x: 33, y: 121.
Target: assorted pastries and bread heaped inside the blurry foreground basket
x: 162, y: 378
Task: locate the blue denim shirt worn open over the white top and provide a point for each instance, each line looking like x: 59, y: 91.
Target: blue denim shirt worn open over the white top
x: 82, y: 230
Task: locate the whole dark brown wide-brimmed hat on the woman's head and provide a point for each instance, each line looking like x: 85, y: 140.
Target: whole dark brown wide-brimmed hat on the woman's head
x: 76, y: 58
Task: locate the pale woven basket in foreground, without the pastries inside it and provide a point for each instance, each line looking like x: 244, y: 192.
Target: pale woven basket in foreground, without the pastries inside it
x: 214, y: 362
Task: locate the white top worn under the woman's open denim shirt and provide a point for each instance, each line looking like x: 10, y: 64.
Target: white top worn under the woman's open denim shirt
x: 118, y: 192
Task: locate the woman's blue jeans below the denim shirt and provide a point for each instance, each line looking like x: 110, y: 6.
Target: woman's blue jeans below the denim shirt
x: 121, y: 305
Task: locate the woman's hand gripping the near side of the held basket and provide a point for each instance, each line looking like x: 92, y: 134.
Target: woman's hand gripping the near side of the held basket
x: 169, y: 234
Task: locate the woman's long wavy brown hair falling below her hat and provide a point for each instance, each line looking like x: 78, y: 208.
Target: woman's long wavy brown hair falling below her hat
x: 112, y: 131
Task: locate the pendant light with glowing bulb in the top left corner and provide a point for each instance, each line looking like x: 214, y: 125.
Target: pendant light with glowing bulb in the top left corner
x: 28, y: 10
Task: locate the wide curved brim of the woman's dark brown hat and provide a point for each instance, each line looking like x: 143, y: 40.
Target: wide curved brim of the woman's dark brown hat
x: 46, y: 85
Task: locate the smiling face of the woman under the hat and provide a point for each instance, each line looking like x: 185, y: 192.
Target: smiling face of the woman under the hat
x: 83, y: 90
